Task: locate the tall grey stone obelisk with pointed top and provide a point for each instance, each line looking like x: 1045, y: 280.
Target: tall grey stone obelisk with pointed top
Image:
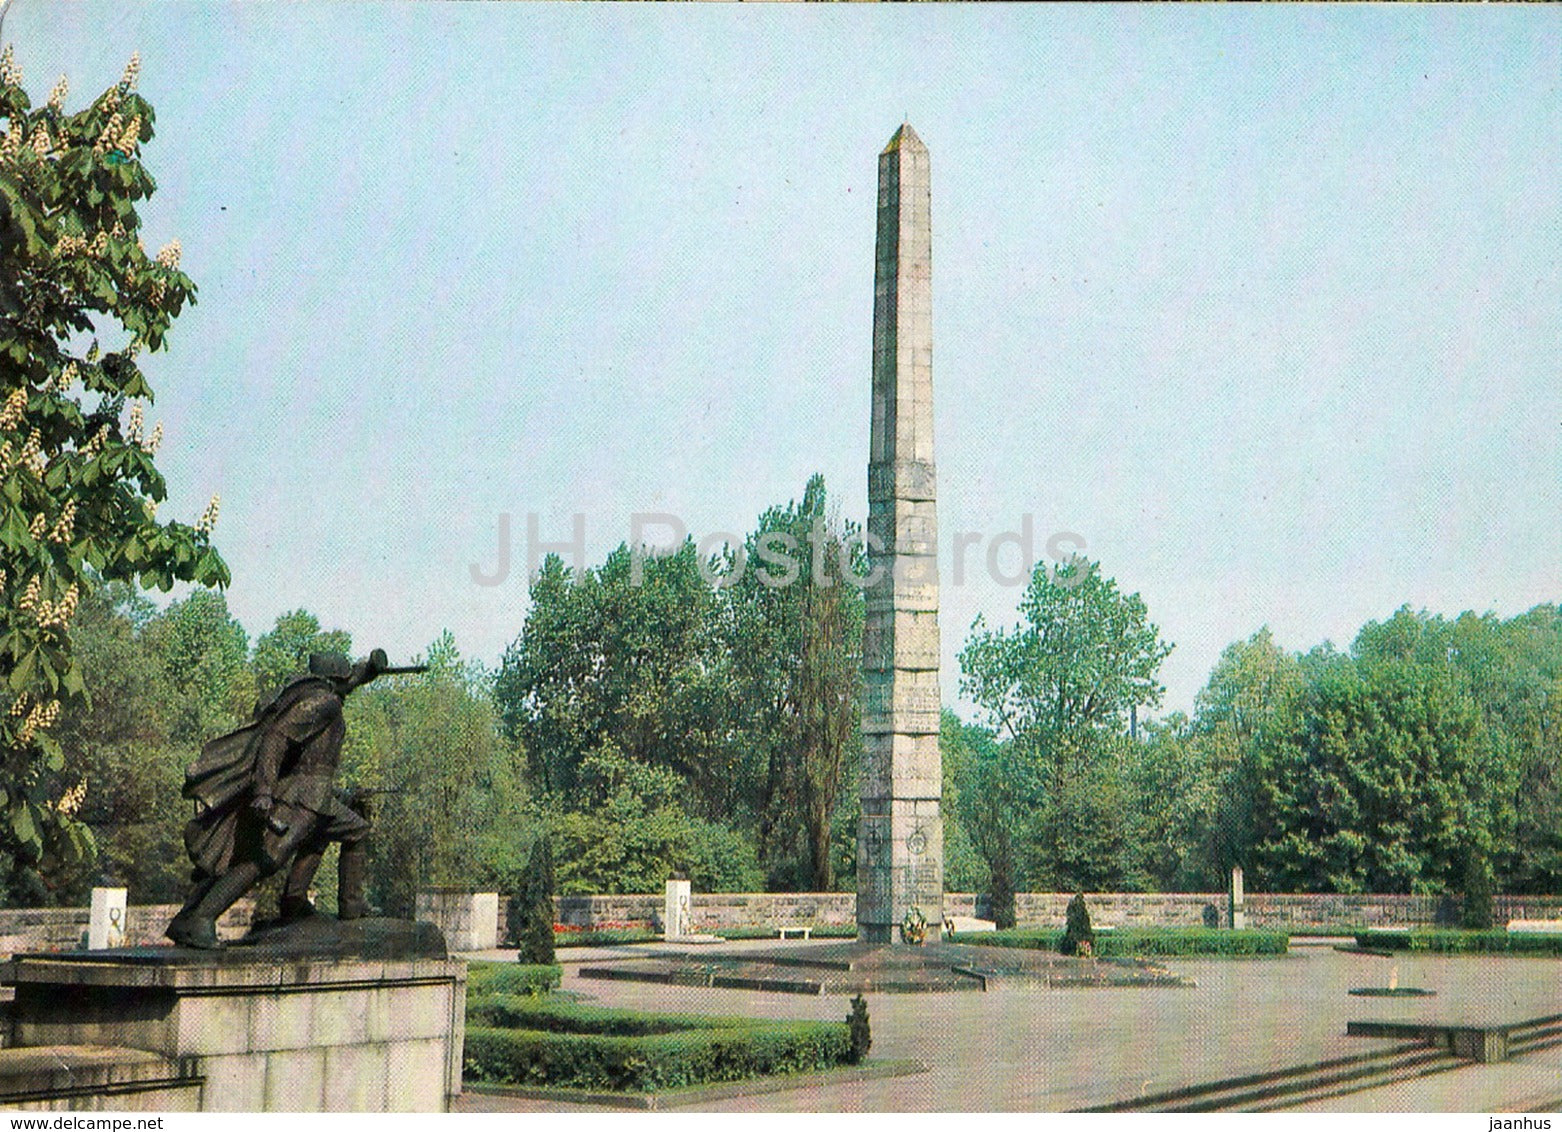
x: 900, y: 842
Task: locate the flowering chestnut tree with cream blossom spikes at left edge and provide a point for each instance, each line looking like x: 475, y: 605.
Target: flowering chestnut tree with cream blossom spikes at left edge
x: 80, y: 302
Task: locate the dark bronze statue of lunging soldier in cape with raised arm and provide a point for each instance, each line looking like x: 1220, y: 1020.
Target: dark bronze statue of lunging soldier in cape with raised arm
x: 266, y: 796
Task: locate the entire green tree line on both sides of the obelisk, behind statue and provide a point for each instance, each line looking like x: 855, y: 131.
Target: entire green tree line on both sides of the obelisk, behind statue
x: 649, y: 721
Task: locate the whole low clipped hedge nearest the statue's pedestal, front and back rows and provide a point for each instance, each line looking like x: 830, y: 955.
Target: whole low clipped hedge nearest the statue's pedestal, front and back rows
x: 537, y: 1042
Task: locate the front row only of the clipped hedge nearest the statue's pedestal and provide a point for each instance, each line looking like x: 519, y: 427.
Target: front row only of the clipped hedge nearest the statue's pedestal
x: 655, y: 1061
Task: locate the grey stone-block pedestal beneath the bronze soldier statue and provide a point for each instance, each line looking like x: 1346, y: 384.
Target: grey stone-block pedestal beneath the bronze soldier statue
x: 284, y: 1034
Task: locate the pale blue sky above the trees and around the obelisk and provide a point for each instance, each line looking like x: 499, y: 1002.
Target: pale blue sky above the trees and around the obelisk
x: 1261, y: 304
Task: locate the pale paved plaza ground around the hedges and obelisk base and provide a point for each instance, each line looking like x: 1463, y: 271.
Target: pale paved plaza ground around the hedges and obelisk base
x: 1027, y: 1048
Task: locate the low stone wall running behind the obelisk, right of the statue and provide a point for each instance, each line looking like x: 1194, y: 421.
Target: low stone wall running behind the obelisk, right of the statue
x: 1266, y: 911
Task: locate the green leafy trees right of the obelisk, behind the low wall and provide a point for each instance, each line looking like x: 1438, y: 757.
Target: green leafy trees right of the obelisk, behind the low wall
x: 1427, y: 758
